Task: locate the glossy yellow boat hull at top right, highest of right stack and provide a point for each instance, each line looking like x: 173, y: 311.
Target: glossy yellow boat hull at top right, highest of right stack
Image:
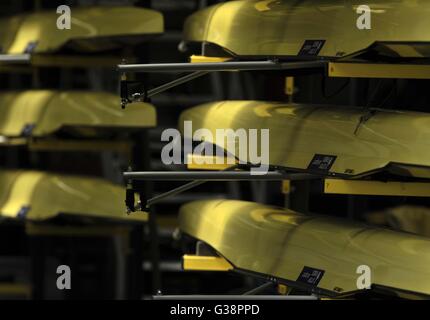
x: 281, y: 27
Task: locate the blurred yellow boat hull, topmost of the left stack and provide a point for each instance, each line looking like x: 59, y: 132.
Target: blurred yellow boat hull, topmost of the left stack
x: 92, y: 29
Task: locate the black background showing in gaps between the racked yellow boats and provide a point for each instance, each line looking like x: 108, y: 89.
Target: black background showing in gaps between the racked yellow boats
x: 95, y: 259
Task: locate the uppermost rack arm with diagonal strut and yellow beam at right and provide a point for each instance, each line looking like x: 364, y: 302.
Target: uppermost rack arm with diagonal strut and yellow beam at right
x: 355, y: 65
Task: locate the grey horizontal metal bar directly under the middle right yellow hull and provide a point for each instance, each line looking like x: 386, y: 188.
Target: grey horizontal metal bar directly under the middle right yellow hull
x: 214, y: 176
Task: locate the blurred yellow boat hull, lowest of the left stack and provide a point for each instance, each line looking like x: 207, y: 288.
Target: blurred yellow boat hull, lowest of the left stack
x: 39, y: 196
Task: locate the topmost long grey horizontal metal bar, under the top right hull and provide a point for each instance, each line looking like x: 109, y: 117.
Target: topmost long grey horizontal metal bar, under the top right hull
x: 220, y: 66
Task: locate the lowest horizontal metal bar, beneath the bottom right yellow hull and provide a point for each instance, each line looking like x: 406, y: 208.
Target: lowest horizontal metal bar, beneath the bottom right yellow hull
x: 233, y: 297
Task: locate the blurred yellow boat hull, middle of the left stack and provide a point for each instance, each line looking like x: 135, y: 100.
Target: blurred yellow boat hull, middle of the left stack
x: 39, y: 113
